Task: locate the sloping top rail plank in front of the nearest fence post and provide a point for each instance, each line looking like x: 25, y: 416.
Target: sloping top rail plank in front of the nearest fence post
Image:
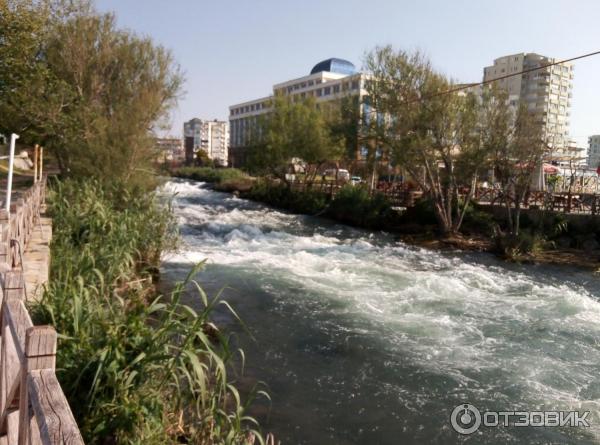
x: 51, y: 409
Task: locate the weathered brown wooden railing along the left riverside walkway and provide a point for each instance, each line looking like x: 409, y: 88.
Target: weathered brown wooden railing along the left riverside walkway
x: 33, y: 407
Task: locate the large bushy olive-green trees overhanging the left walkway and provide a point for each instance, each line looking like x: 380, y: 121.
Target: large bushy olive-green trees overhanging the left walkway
x: 91, y: 93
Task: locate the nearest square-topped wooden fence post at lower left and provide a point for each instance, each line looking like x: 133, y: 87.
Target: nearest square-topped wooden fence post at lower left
x: 40, y: 353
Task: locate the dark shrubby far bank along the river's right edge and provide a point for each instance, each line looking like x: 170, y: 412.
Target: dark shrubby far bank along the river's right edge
x: 410, y: 230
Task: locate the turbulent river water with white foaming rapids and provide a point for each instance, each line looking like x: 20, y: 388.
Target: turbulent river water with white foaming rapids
x: 362, y: 339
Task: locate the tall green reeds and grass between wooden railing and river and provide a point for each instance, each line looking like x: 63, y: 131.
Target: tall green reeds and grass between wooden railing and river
x: 136, y: 368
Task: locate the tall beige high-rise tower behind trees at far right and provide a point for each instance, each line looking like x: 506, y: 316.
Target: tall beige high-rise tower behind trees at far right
x: 546, y: 91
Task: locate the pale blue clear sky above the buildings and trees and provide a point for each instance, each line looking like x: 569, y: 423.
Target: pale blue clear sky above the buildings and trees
x: 232, y: 51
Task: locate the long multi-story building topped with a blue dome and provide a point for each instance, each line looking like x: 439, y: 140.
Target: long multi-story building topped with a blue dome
x: 329, y: 80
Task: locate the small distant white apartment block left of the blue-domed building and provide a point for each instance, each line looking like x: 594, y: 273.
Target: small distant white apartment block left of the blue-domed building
x: 210, y: 136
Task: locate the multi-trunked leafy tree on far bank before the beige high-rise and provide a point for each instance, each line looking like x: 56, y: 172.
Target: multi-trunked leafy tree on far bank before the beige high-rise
x: 433, y: 135
